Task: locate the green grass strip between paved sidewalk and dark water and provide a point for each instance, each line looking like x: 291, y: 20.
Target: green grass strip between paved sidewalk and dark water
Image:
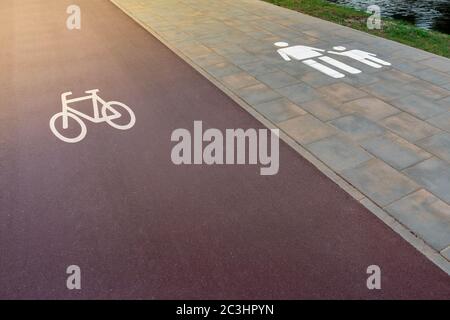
x: 392, y: 29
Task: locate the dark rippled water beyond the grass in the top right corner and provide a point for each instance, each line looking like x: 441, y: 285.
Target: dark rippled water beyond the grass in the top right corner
x: 428, y: 14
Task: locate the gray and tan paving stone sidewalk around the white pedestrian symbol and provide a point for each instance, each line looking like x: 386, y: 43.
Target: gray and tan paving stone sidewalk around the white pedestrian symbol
x: 386, y: 131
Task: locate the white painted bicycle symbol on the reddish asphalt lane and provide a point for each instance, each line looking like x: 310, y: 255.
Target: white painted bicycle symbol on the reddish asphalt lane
x: 68, y: 112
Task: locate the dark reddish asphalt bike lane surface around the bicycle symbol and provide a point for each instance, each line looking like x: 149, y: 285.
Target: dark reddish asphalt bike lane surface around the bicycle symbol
x: 141, y: 227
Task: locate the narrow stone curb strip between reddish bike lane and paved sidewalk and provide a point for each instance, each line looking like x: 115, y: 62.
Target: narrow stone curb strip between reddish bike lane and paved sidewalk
x: 418, y: 243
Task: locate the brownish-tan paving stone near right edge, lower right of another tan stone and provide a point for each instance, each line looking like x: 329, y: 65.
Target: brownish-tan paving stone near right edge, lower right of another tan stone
x: 409, y: 127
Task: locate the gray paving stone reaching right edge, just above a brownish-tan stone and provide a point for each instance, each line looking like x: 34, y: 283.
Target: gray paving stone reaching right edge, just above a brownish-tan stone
x: 420, y: 107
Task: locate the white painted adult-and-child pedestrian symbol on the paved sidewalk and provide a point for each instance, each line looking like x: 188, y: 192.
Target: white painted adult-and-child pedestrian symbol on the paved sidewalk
x: 306, y: 55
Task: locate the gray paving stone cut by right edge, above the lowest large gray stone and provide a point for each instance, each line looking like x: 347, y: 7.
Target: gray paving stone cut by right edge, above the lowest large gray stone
x: 434, y: 175
